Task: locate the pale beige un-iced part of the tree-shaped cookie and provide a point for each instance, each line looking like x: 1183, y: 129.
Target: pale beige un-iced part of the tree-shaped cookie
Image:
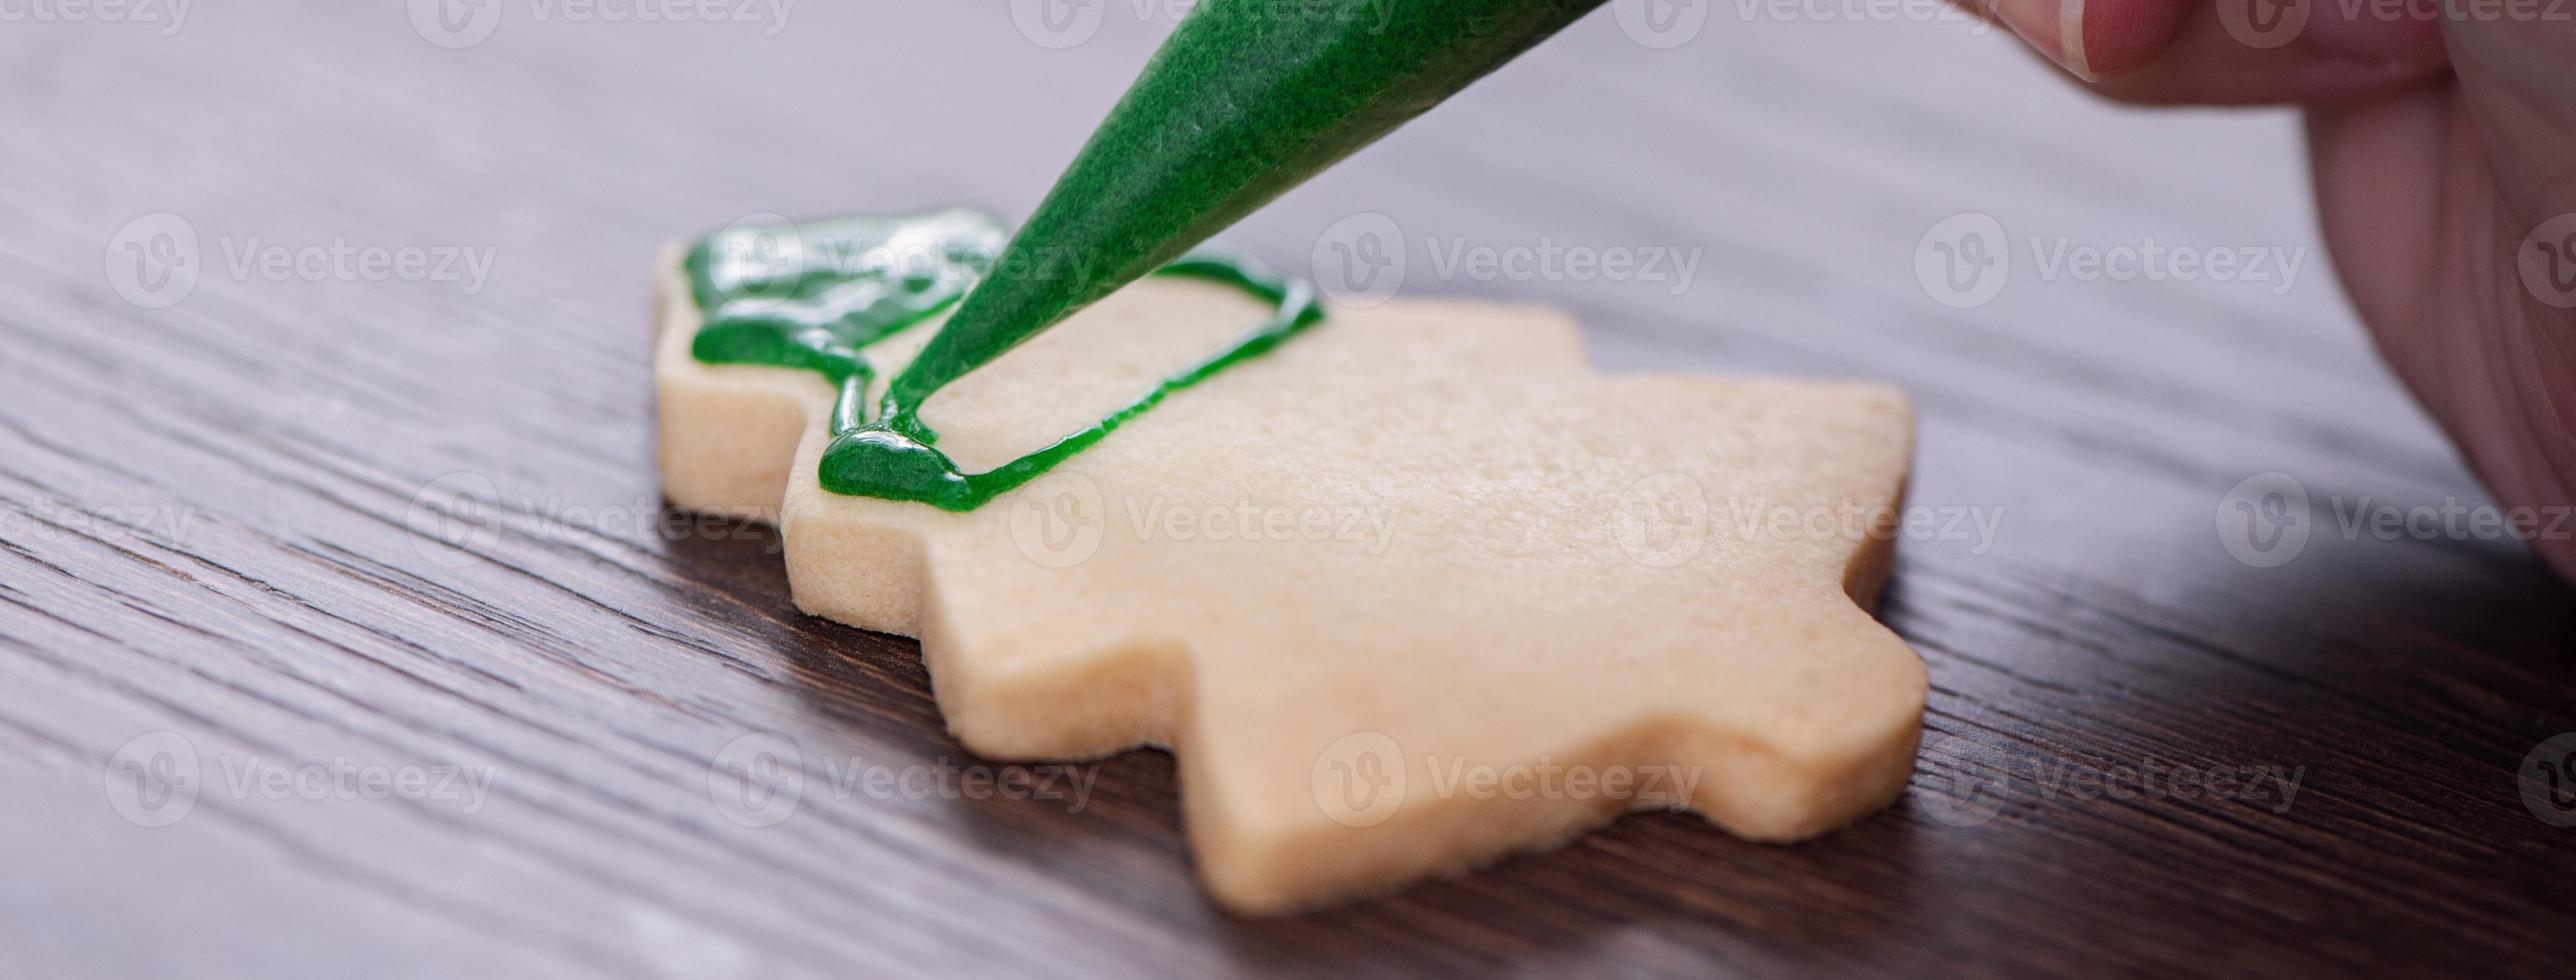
x: 1408, y: 594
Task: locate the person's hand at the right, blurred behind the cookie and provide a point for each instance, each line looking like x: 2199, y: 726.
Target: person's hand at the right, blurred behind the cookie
x: 2443, y: 146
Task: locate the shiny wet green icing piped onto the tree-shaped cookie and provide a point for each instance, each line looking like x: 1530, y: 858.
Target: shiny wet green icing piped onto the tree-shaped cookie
x: 818, y: 295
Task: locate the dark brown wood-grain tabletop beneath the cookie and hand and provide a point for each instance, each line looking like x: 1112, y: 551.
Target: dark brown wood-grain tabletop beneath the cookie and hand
x: 264, y: 721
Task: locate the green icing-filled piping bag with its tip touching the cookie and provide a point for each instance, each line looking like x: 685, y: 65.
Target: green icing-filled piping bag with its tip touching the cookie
x: 1245, y: 102
